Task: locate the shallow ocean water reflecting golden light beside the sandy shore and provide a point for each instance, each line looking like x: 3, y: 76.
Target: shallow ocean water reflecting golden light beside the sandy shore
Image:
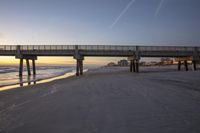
x: 9, y: 74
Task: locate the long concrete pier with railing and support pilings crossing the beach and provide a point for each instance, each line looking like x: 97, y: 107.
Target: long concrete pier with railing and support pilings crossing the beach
x: 133, y: 53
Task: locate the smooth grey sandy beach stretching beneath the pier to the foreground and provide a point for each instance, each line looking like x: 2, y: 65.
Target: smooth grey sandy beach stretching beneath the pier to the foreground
x: 106, y: 100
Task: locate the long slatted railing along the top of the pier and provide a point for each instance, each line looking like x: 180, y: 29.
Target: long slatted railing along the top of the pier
x: 97, y: 47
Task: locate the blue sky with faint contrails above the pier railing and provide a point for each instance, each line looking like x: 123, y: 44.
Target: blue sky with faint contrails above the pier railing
x: 100, y: 22
